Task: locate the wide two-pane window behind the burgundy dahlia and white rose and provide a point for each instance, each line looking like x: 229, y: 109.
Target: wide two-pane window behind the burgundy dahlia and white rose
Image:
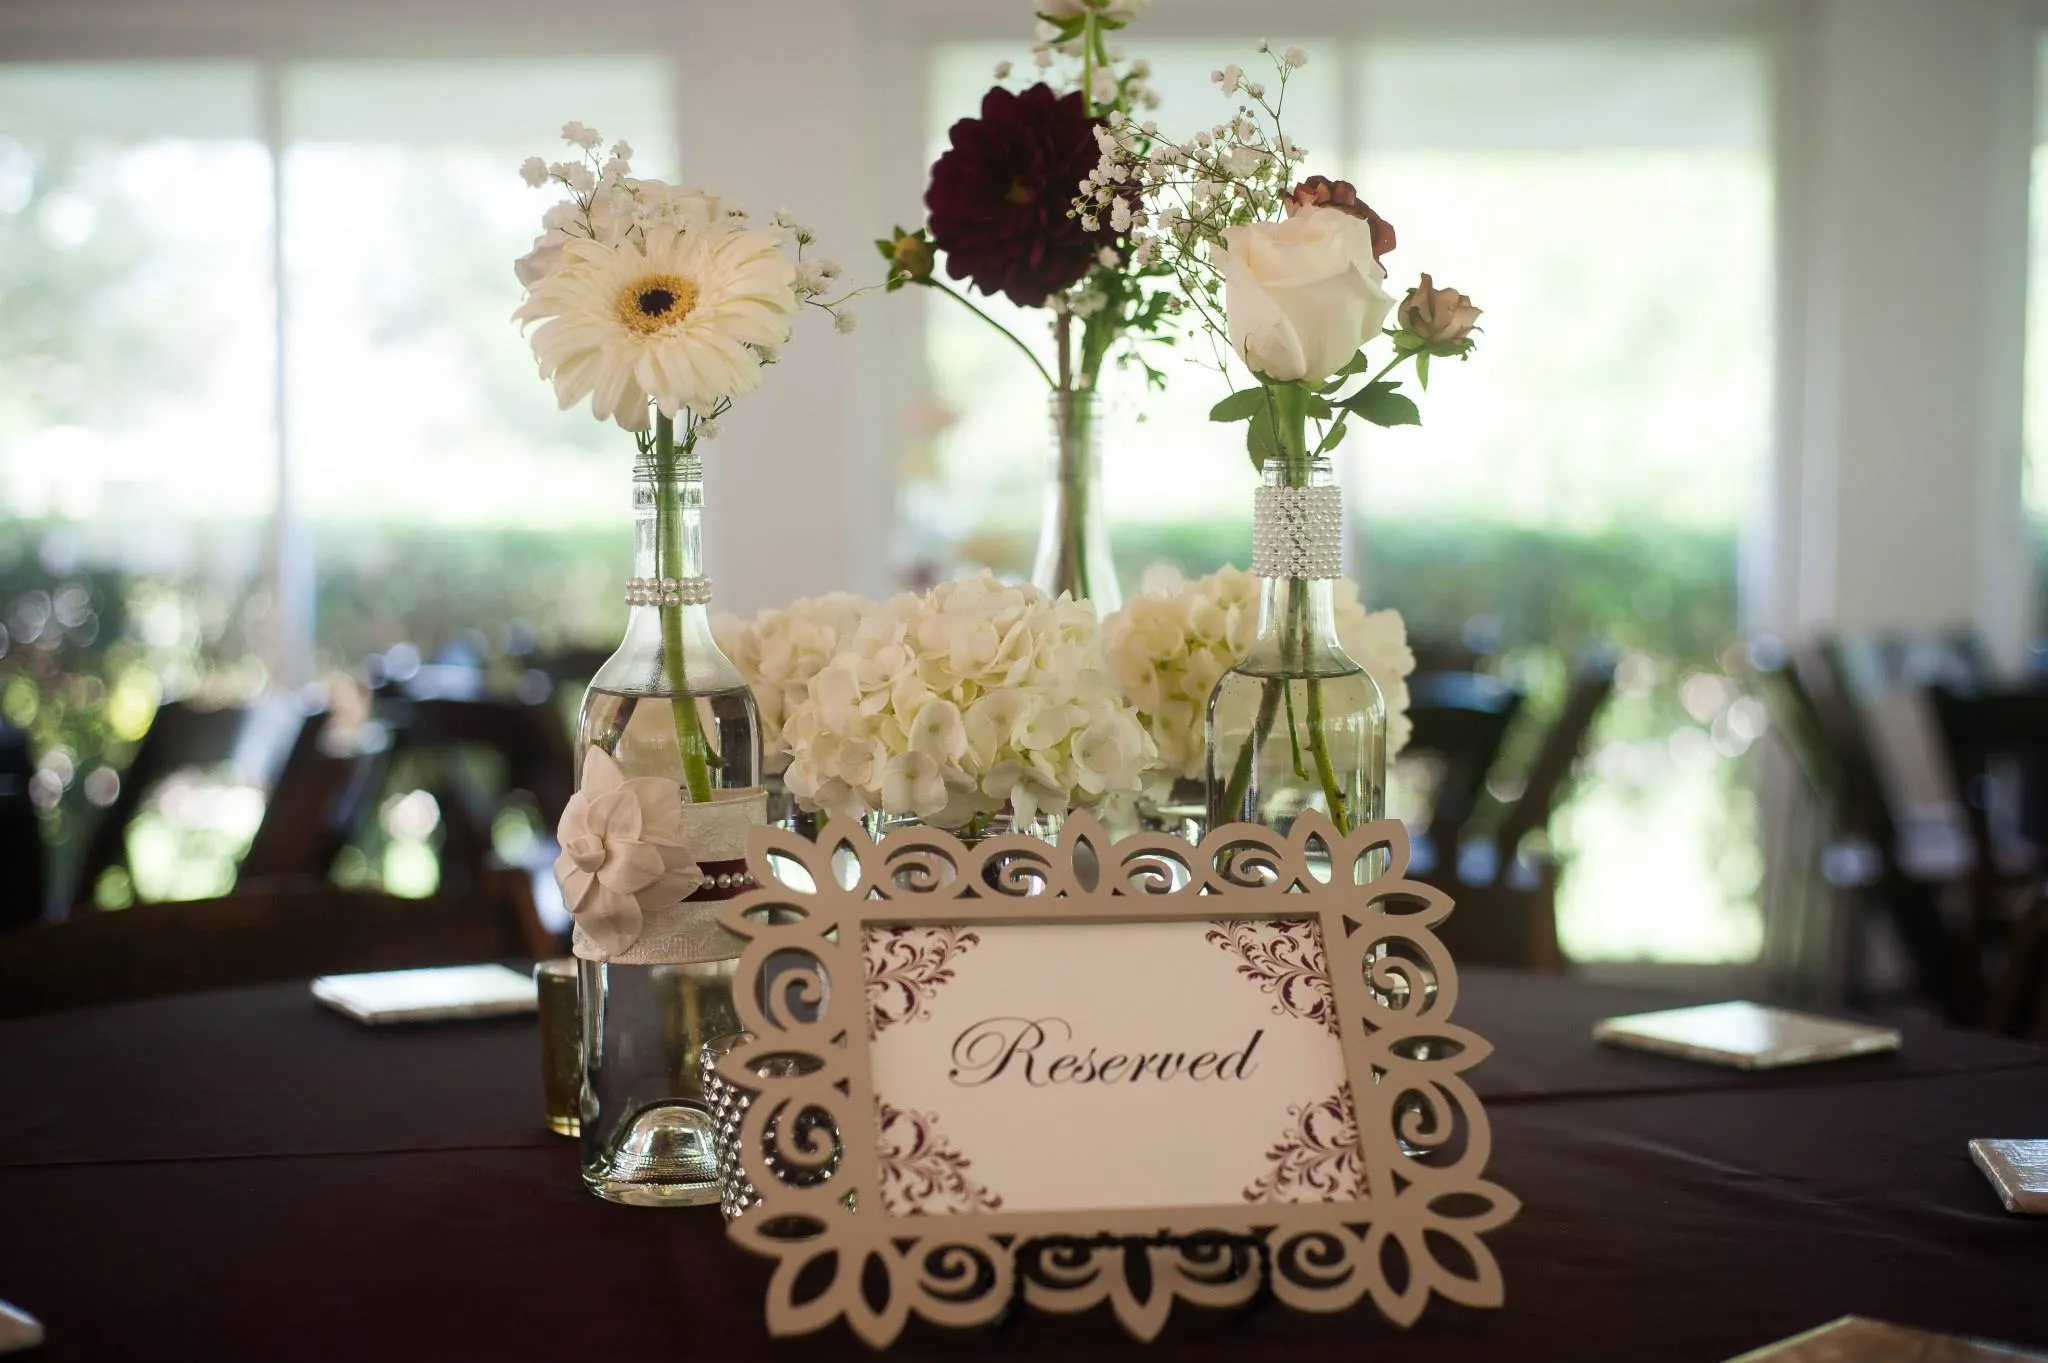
x: 1586, y: 478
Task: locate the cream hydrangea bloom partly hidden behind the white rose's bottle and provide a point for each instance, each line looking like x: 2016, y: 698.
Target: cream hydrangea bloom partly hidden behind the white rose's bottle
x: 1170, y: 646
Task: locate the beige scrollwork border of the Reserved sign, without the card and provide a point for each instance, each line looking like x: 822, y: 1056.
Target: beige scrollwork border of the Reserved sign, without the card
x: 810, y: 1137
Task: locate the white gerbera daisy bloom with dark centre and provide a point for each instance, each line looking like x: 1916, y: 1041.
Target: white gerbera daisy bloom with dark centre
x: 679, y: 316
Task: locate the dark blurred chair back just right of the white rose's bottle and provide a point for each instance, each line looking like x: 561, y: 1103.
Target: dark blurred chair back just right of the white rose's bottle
x: 1461, y: 721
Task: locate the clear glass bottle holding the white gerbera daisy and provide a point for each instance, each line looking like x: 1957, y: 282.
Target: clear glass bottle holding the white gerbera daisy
x: 669, y: 703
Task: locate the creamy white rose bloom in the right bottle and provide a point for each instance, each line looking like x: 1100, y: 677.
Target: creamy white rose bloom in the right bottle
x: 1304, y: 294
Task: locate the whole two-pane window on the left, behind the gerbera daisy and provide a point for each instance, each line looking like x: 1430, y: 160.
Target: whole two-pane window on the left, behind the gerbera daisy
x: 169, y: 498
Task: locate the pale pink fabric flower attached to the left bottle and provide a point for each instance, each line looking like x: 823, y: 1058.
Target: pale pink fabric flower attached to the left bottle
x: 622, y: 852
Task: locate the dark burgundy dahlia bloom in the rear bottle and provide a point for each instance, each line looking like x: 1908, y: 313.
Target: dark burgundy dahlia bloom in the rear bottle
x: 1002, y: 191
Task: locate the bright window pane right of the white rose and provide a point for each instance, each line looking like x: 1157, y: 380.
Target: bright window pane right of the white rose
x: 1590, y: 472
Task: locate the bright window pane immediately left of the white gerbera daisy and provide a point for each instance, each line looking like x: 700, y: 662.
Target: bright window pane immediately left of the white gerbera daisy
x: 421, y: 441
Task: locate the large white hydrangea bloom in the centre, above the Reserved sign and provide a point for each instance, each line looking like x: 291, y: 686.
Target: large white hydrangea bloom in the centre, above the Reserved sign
x: 964, y: 701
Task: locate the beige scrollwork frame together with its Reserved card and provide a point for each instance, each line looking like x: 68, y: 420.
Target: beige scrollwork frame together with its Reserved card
x: 1113, y: 1032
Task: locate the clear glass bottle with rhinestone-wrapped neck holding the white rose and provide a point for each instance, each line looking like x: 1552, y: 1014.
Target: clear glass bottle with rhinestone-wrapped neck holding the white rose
x: 1297, y: 723
